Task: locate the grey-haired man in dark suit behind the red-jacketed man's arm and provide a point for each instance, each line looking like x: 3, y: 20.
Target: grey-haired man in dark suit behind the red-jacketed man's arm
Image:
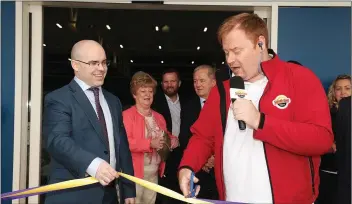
x: 203, y: 81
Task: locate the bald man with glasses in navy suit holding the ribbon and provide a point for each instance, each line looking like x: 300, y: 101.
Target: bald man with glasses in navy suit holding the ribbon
x: 85, y: 135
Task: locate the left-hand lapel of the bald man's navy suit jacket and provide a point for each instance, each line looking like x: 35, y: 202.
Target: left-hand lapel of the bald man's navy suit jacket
x: 88, y: 109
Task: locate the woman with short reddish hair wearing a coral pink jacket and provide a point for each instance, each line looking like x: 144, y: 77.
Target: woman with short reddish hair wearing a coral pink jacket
x: 145, y: 129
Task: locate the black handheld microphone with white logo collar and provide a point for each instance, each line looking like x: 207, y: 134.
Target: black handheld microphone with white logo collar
x: 237, y: 90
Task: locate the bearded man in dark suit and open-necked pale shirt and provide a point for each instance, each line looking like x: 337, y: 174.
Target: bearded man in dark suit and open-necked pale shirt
x: 168, y: 103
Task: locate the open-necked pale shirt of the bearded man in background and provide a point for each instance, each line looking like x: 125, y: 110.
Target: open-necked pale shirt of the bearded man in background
x: 175, y: 110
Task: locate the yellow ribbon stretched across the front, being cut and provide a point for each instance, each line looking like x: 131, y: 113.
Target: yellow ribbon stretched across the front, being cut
x: 91, y: 180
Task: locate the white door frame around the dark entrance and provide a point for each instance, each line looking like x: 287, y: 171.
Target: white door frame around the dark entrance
x: 264, y: 9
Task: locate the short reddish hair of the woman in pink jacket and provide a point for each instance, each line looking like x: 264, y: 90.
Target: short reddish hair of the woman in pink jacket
x: 142, y: 79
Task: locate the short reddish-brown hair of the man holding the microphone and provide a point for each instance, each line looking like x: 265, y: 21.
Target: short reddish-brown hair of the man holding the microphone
x: 251, y: 24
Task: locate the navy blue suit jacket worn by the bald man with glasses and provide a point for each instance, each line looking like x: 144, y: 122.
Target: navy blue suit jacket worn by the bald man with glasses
x: 74, y: 137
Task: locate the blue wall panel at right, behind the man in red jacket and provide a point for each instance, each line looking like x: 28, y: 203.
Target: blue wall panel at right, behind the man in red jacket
x: 319, y: 38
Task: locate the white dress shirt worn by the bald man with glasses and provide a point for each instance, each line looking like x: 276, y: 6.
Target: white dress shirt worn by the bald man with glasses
x: 93, y: 167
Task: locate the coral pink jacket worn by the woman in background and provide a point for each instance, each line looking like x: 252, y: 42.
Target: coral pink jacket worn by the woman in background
x: 135, y: 128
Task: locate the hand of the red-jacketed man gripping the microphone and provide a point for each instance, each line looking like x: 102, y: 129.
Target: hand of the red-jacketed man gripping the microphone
x: 245, y: 110
